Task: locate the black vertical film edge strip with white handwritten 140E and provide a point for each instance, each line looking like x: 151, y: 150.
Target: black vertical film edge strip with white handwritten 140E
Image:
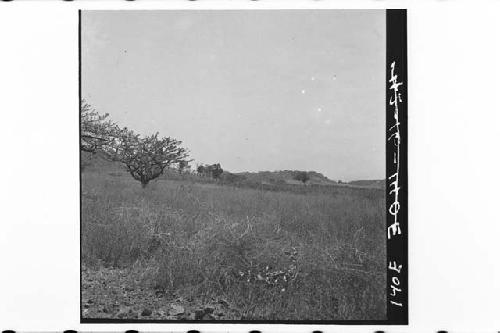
x: 397, y: 167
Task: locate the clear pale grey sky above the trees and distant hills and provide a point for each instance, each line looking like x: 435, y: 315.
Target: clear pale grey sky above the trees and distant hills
x: 253, y: 90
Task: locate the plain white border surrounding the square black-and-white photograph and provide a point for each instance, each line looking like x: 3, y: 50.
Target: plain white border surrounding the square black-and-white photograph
x: 454, y: 271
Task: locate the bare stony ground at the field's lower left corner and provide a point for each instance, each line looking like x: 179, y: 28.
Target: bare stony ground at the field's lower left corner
x: 118, y: 294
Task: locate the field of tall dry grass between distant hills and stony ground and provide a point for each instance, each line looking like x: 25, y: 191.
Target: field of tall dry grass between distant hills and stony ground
x: 268, y: 254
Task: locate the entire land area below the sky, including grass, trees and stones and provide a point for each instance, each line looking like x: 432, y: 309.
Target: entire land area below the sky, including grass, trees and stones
x: 296, y: 246
